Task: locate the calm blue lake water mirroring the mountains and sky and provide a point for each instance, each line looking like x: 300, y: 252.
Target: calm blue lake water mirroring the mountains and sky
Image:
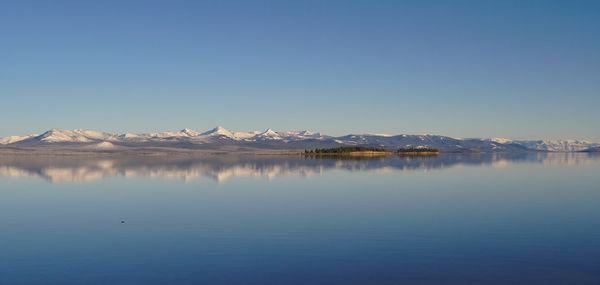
x: 452, y: 219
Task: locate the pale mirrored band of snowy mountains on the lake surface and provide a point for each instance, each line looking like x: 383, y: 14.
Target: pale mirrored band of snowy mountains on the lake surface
x: 222, y: 167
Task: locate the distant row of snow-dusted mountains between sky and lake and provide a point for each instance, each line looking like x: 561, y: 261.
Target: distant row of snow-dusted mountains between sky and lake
x: 224, y: 136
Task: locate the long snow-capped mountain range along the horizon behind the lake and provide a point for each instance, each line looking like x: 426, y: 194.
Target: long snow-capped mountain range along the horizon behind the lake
x: 220, y: 136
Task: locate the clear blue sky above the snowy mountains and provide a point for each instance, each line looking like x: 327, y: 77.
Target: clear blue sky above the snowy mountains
x: 515, y: 69
